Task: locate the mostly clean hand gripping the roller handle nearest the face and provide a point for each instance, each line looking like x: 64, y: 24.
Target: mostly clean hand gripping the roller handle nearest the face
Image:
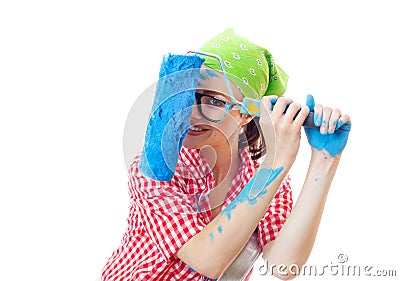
x: 281, y: 130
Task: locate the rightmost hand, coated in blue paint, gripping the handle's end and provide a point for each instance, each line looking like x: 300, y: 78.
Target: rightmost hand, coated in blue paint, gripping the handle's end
x: 334, y: 129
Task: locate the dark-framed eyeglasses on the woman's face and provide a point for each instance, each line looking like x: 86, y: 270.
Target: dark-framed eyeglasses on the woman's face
x: 212, y: 108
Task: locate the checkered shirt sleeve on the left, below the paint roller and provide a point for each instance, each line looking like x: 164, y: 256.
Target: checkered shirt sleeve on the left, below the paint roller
x: 165, y: 211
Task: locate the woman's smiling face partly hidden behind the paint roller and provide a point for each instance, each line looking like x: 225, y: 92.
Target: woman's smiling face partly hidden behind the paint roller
x: 219, y: 135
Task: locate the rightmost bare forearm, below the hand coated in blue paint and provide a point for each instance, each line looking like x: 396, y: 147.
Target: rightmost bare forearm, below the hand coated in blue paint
x: 297, y: 236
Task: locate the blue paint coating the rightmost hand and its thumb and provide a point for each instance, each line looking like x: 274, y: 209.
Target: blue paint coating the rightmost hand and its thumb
x: 332, y: 143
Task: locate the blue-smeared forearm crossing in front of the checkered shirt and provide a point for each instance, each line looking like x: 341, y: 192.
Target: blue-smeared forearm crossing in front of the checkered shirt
x: 213, y: 249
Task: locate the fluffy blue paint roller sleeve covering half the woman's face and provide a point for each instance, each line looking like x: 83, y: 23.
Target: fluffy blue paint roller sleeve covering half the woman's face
x: 169, y: 118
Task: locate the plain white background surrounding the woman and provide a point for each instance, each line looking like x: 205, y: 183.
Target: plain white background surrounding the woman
x: 71, y: 70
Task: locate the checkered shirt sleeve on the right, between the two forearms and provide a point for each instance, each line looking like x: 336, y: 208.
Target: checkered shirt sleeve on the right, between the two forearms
x: 276, y: 215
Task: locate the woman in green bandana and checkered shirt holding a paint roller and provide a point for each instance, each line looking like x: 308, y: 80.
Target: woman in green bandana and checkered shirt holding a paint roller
x: 231, y: 177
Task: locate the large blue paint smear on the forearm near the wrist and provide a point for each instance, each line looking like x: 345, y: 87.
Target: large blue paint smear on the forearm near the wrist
x: 253, y: 190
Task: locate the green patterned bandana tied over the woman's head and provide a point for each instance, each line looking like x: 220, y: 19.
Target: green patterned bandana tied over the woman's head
x: 249, y: 66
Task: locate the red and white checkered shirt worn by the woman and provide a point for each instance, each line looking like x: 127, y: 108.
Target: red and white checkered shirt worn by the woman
x: 163, y: 216
